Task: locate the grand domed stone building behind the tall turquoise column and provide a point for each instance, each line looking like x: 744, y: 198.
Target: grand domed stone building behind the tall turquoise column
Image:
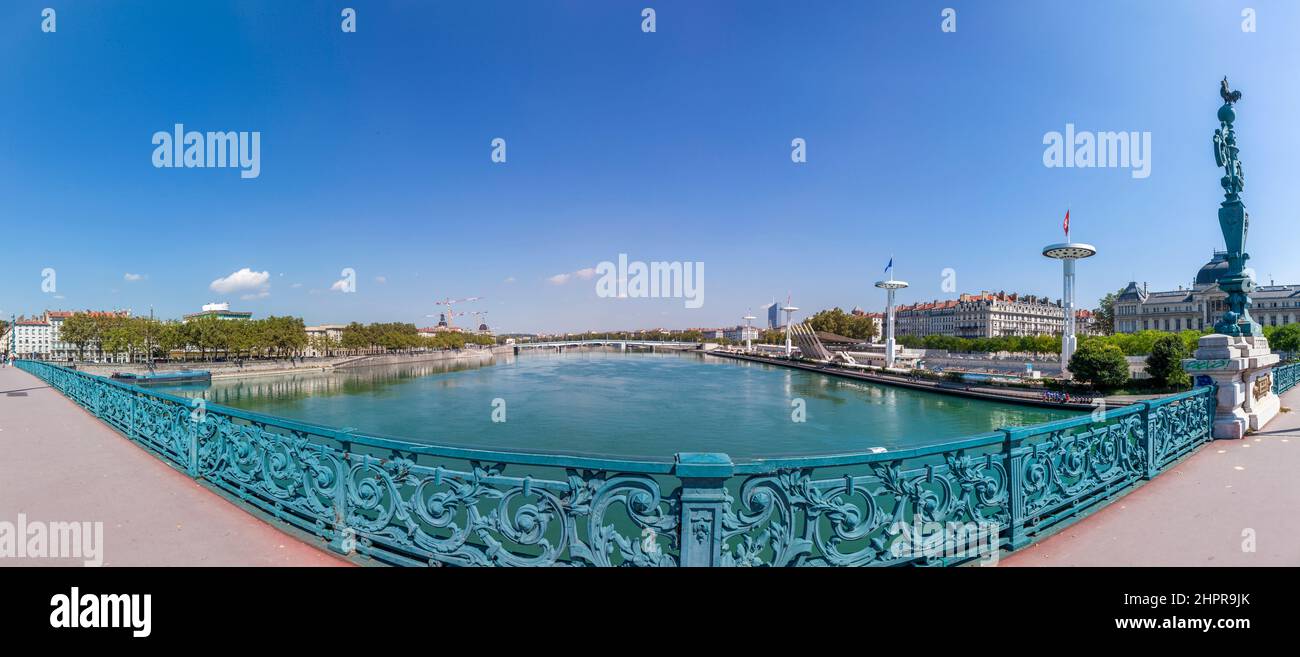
x: 1202, y: 305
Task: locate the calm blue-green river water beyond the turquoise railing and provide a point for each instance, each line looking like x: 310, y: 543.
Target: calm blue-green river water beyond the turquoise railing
x: 622, y: 405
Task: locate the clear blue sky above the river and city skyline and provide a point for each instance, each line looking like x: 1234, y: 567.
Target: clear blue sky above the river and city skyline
x: 666, y: 146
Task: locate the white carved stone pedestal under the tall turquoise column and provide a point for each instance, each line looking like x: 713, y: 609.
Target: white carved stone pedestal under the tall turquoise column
x: 1243, y: 370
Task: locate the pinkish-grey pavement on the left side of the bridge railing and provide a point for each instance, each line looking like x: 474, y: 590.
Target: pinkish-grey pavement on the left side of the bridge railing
x: 59, y: 464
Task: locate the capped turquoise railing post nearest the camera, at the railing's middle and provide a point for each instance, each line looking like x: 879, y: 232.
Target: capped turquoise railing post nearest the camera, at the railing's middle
x: 704, y: 504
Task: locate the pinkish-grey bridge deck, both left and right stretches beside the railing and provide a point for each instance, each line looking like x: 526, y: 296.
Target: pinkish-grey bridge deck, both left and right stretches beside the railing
x: 60, y: 464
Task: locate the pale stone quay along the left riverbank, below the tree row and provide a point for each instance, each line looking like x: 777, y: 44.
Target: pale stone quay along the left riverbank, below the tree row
x: 232, y: 370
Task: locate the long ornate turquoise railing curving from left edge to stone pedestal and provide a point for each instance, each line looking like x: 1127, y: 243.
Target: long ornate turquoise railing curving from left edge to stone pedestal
x: 409, y: 504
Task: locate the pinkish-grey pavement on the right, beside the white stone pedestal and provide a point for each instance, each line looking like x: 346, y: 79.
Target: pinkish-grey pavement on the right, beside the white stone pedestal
x: 1197, y: 513
